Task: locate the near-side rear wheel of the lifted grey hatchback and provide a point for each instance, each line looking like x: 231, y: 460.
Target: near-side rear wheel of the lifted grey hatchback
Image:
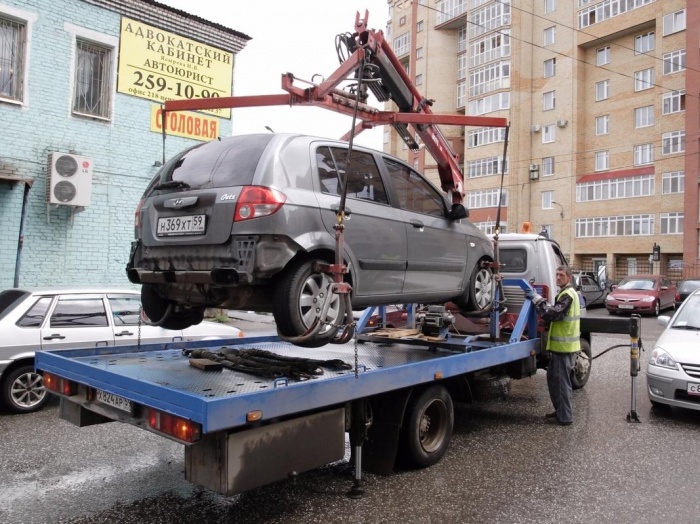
x: 298, y: 302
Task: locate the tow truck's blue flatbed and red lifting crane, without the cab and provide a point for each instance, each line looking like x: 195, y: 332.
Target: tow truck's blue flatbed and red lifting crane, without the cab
x: 244, y: 413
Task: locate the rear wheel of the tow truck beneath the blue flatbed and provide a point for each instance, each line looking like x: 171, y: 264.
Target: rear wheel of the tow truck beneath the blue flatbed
x: 428, y: 424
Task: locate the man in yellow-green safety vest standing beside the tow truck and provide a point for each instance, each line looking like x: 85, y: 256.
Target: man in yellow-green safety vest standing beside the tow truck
x: 563, y: 342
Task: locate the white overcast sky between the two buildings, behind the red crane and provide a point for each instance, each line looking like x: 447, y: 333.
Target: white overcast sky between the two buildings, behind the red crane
x: 289, y: 36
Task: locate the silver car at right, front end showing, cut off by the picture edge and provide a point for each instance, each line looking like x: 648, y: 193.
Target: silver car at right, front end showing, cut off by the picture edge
x: 673, y: 371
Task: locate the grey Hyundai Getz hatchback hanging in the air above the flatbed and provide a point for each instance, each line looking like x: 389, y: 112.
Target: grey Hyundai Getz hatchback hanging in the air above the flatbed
x: 243, y: 222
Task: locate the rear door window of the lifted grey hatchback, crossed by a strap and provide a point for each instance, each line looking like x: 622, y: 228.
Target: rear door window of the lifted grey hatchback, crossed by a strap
x: 364, y: 181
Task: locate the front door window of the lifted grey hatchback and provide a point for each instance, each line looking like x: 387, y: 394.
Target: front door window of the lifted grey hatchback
x: 414, y: 192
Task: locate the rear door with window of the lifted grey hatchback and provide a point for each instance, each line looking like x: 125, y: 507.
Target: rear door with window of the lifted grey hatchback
x: 374, y: 230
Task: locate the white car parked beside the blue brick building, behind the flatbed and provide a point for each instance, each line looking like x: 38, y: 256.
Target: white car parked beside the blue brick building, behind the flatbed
x: 41, y: 319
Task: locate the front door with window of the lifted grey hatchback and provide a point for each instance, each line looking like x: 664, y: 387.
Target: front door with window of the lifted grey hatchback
x: 437, y: 246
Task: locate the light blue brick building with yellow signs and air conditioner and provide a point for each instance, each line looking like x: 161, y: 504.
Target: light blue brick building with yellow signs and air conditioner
x: 81, y: 82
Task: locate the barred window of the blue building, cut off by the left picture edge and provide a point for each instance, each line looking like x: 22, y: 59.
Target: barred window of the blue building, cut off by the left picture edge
x: 12, y: 57
